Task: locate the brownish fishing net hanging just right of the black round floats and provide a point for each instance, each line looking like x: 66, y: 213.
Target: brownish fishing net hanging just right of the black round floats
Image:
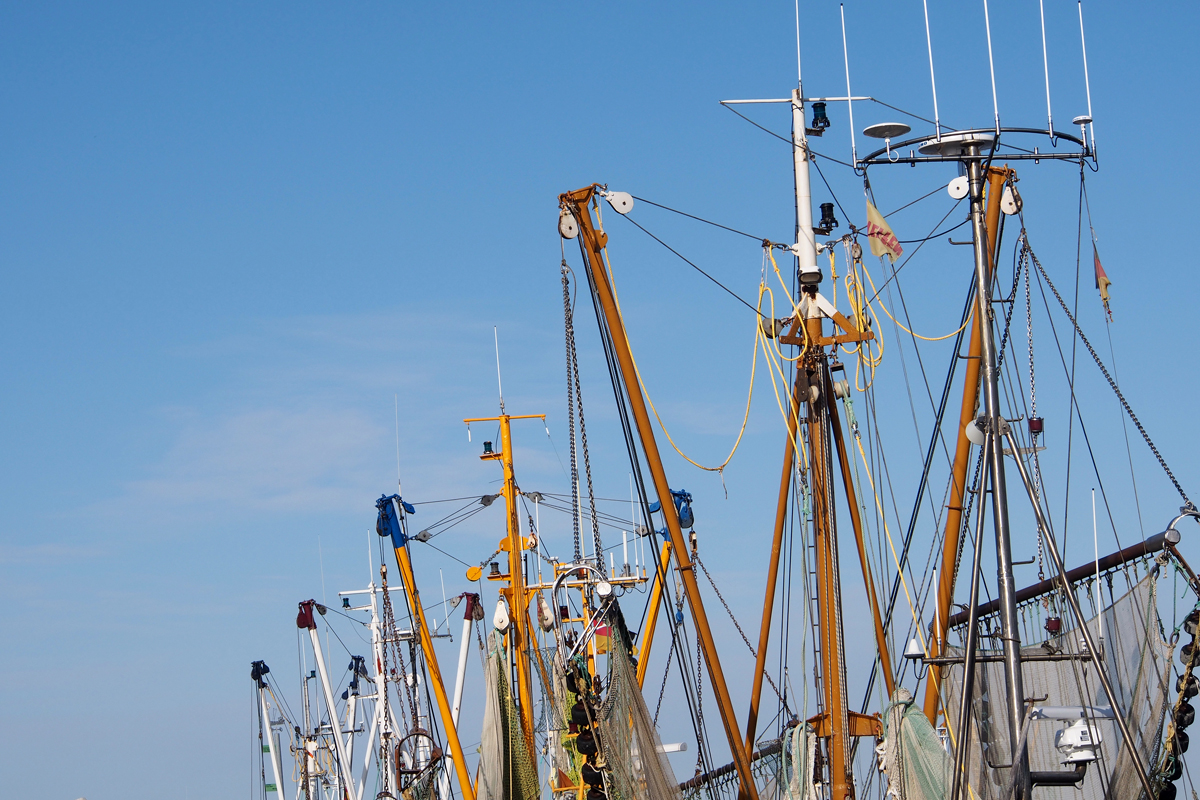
x: 638, y: 767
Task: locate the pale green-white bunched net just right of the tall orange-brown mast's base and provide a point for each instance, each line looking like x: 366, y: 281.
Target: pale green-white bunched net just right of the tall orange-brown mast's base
x: 917, y: 766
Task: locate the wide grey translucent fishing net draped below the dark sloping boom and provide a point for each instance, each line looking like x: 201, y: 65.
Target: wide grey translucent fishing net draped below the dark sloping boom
x: 1138, y: 663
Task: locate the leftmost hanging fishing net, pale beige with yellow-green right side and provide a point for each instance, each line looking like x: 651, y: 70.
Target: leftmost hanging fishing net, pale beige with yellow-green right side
x: 506, y: 768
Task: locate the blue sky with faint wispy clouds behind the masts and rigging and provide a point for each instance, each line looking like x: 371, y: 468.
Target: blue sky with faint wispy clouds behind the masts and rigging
x: 237, y: 238
